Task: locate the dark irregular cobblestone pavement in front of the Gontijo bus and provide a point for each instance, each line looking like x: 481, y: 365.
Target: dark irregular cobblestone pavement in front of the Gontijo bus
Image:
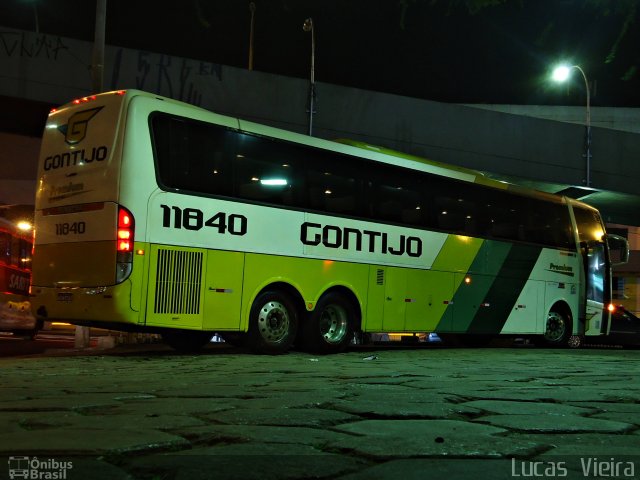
x: 145, y: 412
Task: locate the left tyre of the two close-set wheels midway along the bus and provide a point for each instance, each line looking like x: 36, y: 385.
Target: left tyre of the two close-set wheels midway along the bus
x: 273, y: 323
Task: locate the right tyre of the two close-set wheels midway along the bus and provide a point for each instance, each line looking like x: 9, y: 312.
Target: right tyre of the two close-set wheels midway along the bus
x: 329, y: 328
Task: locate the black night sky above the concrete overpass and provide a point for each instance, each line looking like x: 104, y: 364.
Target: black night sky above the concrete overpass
x: 439, y: 50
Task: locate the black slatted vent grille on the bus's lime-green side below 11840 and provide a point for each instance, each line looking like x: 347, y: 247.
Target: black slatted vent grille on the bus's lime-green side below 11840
x: 178, y: 282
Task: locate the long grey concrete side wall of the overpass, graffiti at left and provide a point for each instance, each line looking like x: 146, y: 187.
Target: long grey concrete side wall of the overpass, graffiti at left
x: 55, y: 69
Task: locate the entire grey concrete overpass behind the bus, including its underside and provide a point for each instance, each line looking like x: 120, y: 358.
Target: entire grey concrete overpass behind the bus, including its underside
x: 531, y: 145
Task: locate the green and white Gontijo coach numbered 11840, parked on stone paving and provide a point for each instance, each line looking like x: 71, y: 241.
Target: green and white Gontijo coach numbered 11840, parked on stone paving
x: 155, y: 215
